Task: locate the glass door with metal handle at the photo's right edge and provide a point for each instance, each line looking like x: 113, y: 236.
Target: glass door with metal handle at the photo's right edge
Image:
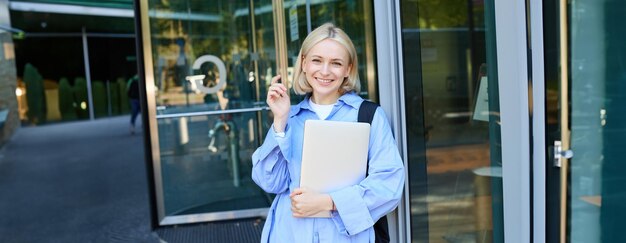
x: 585, y: 86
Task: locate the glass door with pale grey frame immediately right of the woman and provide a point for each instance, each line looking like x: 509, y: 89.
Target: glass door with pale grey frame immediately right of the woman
x: 466, y: 114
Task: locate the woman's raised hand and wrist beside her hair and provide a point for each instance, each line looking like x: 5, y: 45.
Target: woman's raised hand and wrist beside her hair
x: 279, y: 102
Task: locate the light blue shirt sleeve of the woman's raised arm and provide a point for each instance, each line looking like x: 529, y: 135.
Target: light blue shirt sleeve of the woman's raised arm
x: 269, y: 163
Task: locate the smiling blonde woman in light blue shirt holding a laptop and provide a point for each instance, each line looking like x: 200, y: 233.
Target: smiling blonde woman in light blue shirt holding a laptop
x: 326, y: 72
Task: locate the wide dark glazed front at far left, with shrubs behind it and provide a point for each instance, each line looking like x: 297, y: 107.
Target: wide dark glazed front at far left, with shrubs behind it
x: 61, y: 93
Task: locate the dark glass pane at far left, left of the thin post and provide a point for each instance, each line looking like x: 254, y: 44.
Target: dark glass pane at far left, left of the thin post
x: 52, y: 91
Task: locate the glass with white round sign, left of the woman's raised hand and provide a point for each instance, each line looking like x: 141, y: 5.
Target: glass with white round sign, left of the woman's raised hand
x: 205, y: 159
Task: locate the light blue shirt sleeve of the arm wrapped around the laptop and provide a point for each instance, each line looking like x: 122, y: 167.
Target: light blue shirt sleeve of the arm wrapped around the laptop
x: 360, y: 206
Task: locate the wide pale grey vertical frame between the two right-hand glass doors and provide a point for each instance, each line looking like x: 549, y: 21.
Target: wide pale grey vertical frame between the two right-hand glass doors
x: 513, y: 75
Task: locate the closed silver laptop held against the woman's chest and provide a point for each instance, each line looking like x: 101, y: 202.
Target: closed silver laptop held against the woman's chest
x: 334, y: 155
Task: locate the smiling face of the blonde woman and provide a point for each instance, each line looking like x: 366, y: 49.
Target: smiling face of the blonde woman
x: 326, y: 66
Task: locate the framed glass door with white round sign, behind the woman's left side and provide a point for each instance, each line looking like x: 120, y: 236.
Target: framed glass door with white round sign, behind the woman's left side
x: 207, y: 66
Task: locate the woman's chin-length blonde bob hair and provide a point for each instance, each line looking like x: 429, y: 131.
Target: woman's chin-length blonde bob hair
x: 327, y: 31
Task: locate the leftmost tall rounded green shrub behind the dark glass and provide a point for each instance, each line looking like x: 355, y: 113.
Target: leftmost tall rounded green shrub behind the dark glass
x: 35, y: 95
